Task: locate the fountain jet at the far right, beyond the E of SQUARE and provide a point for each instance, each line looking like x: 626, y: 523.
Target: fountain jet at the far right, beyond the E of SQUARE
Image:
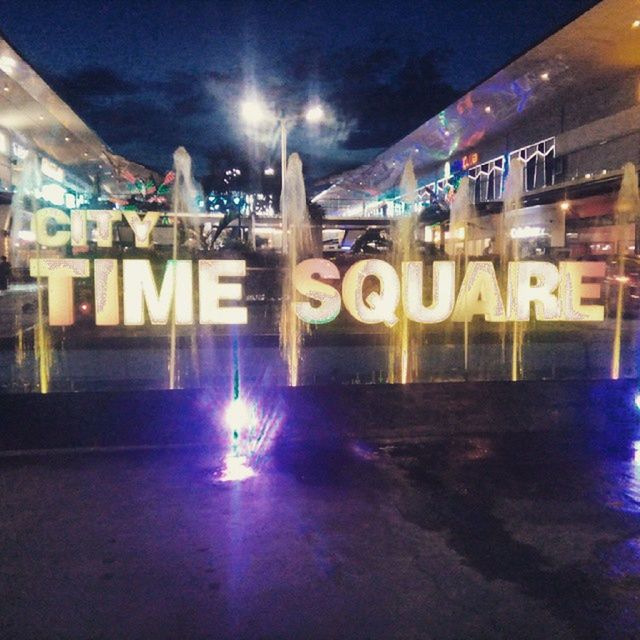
x: 627, y: 212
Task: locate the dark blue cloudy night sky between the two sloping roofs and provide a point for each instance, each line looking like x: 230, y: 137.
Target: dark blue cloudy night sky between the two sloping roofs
x: 151, y: 75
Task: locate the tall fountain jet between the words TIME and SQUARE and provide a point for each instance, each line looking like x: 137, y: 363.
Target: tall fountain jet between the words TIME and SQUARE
x: 297, y: 245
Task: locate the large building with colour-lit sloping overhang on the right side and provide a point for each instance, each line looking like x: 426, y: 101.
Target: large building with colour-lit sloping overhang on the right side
x: 569, y: 109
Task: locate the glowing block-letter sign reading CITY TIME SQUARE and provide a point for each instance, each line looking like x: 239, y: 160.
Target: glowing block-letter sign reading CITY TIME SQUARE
x: 372, y: 291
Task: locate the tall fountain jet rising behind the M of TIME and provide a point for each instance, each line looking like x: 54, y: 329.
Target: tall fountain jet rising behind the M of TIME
x: 184, y: 201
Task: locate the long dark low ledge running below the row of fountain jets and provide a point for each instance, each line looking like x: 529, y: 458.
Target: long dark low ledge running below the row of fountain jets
x: 158, y: 418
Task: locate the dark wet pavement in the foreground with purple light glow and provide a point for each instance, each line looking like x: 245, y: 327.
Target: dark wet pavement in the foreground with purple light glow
x: 514, y: 535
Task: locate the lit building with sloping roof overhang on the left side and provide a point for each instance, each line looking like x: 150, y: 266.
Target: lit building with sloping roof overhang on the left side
x: 75, y: 165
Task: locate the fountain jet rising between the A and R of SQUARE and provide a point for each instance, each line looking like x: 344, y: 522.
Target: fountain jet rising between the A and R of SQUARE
x: 512, y: 203
